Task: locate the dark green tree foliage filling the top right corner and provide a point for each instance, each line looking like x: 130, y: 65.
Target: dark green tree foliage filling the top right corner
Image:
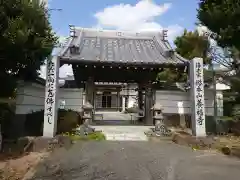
x: 222, y: 18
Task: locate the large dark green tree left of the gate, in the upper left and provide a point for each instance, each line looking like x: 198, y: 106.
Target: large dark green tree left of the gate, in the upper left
x: 26, y: 39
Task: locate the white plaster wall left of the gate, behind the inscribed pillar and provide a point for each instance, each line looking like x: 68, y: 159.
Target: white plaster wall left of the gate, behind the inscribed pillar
x: 30, y: 98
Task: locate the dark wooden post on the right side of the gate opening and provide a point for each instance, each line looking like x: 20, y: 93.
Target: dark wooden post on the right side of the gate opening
x: 148, y: 104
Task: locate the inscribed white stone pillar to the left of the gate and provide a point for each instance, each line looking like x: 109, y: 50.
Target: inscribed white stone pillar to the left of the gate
x: 51, y: 97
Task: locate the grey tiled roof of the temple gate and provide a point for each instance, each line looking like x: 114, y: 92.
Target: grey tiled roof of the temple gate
x: 111, y: 46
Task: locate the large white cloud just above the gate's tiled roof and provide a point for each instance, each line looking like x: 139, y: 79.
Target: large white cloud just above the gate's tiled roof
x: 138, y: 17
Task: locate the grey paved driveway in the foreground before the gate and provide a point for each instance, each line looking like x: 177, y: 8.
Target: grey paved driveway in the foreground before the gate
x: 136, y: 161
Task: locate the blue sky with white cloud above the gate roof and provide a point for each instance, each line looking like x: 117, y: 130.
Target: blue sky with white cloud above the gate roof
x: 179, y: 14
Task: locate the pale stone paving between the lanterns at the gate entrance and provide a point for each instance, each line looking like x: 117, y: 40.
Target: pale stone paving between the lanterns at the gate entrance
x: 124, y: 133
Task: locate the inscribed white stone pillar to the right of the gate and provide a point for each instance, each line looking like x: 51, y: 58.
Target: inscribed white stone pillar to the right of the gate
x: 197, y: 97
